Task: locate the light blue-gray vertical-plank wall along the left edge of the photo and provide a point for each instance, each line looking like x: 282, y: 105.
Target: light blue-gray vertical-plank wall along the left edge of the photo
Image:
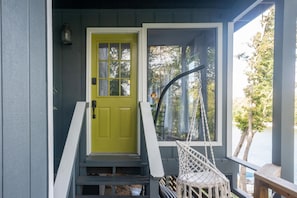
x: 23, y: 93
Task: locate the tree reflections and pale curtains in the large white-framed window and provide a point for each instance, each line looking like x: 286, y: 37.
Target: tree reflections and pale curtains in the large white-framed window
x: 167, y: 61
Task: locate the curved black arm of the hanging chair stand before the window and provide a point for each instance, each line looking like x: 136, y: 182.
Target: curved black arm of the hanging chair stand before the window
x: 170, y: 83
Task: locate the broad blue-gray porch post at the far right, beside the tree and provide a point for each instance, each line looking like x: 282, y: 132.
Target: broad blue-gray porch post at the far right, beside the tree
x: 284, y: 87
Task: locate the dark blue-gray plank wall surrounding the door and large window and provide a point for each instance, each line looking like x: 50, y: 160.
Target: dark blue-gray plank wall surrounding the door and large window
x: 70, y: 61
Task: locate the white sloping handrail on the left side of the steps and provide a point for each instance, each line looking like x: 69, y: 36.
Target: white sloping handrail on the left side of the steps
x: 65, y: 171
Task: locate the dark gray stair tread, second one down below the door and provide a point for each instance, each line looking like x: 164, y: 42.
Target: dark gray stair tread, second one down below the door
x: 112, y: 180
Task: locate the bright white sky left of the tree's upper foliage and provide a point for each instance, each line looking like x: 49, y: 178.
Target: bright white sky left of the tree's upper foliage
x: 241, y: 39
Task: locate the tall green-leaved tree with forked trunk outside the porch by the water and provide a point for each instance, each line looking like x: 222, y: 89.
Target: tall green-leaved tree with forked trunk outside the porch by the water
x: 251, y: 117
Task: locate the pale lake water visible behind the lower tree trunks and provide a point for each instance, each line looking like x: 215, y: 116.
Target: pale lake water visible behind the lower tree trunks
x: 261, y: 148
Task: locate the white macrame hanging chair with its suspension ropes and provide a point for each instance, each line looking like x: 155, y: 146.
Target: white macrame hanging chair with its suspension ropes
x: 198, y: 175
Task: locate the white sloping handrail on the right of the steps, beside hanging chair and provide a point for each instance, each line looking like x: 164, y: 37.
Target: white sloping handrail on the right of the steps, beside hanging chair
x: 152, y: 146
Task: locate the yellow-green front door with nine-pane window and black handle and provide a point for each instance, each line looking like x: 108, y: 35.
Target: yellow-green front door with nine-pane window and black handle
x: 113, y: 93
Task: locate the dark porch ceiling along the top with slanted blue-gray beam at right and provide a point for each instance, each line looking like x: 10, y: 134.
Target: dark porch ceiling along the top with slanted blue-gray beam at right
x: 230, y: 8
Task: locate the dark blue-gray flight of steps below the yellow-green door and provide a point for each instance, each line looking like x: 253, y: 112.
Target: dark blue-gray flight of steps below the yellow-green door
x: 110, y: 174
